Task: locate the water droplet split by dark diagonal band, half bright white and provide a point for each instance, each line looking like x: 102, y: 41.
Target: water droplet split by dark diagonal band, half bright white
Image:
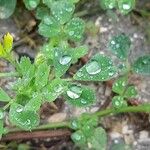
x: 74, y: 92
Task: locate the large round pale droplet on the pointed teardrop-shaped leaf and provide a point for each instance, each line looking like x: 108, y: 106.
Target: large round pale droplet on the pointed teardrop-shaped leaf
x: 93, y: 68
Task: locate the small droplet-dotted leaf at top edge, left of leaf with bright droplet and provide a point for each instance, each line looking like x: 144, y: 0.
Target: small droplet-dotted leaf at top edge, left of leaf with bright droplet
x: 108, y: 4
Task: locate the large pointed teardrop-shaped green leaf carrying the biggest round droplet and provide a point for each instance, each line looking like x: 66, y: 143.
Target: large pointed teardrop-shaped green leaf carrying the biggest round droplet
x: 99, y: 68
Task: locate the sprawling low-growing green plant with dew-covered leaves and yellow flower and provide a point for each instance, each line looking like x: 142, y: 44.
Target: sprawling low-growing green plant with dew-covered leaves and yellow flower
x: 45, y: 79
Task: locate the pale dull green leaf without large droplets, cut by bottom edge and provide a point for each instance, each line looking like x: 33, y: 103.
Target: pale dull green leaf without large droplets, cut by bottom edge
x: 99, y: 139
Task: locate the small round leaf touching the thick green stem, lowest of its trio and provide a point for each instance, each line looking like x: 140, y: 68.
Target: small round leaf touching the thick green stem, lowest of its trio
x: 118, y: 102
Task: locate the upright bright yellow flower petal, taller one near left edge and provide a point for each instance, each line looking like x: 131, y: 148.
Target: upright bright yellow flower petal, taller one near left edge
x: 8, y: 42
